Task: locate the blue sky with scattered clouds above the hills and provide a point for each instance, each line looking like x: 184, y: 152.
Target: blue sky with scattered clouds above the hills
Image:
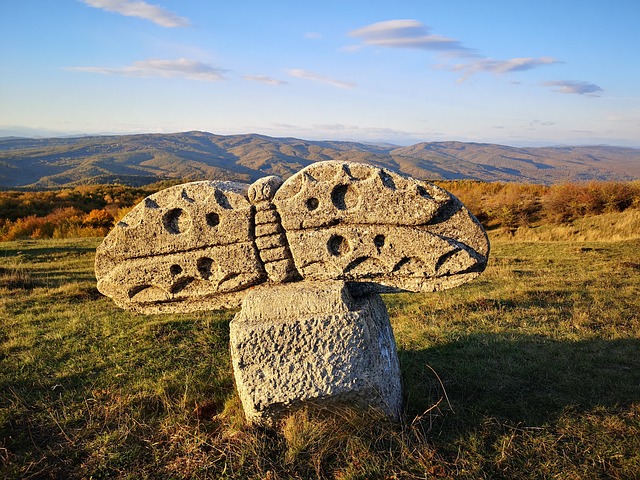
x: 513, y: 72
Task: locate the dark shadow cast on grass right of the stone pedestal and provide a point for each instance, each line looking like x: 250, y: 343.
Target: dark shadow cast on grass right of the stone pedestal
x: 522, y: 379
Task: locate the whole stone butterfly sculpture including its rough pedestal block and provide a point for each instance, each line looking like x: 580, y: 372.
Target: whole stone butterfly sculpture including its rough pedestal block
x: 306, y: 259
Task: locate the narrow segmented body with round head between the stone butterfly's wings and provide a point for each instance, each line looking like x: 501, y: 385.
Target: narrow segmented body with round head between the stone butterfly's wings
x: 271, y: 240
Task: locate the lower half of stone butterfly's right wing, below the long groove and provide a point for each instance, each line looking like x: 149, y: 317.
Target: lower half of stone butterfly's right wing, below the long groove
x: 382, y: 256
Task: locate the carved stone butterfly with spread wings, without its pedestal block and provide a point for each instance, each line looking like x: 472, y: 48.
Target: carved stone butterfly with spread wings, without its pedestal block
x: 200, y: 245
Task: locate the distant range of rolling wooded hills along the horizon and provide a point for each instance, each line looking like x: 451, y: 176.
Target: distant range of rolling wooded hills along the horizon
x: 148, y: 158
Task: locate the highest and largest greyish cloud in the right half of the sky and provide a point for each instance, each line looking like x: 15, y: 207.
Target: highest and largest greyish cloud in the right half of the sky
x: 407, y: 34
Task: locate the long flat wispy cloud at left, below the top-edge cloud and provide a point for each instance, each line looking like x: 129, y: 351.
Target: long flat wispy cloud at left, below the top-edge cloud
x: 183, y: 67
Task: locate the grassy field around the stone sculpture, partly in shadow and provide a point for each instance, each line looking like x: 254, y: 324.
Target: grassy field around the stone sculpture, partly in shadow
x: 531, y: 371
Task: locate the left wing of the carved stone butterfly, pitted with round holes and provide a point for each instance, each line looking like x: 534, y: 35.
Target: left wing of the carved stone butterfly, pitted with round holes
x: 189, y: 247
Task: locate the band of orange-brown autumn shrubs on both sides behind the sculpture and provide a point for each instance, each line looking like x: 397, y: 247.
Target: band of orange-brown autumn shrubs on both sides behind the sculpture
x: 91, y: 211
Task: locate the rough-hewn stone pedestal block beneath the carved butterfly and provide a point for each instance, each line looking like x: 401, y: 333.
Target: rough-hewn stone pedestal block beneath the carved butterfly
x: 313, y: 343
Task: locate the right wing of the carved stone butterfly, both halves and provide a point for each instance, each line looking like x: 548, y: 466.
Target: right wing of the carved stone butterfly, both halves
x: 379, y: 230
